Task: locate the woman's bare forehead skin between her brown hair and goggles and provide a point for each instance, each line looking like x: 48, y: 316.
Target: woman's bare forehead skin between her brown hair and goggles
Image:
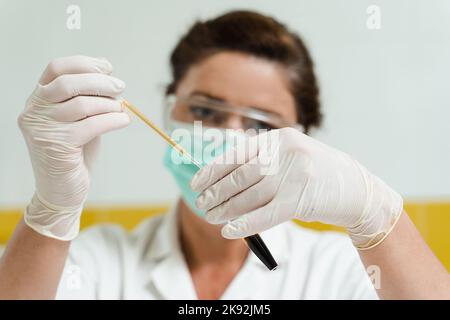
x: 240, y: 80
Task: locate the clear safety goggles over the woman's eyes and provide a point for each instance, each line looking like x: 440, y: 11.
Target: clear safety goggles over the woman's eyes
x: 219, y: 114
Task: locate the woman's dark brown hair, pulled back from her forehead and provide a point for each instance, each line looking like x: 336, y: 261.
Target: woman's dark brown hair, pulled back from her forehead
x: 258, y: 35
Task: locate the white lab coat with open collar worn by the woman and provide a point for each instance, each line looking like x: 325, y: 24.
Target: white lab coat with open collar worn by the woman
x: 107, y: 262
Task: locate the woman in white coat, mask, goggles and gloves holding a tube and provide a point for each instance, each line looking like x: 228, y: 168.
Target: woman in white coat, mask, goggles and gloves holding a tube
x: 240, y: 71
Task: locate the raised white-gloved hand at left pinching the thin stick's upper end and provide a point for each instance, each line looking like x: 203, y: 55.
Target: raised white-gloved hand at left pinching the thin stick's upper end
x: 72, y: 105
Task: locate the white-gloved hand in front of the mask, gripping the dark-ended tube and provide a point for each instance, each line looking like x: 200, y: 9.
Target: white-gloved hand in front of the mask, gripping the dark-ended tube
x: 307, y: 180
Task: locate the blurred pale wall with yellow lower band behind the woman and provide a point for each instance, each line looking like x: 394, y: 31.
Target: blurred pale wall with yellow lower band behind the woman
x: 384, y: 91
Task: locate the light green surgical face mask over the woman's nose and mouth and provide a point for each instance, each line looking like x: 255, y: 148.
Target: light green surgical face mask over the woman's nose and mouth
x: 203, y: 149
